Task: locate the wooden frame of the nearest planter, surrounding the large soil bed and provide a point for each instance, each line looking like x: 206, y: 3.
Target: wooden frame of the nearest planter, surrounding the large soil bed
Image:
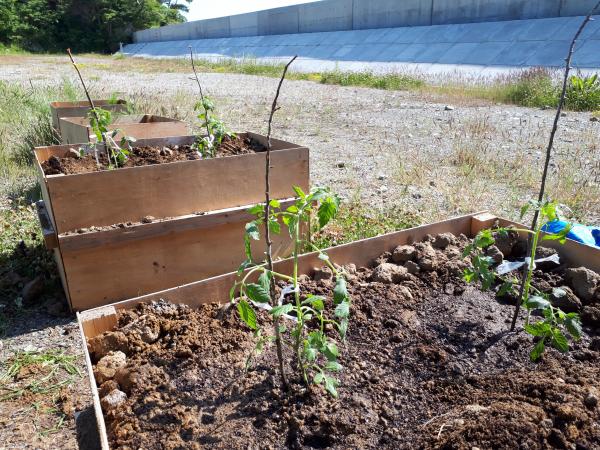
x: 362, y: 253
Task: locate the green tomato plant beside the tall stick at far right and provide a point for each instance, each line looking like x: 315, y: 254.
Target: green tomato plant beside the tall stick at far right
x: 551, y: 330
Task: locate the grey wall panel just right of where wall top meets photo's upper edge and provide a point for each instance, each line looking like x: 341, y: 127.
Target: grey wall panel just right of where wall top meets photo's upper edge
x: 391, y: 13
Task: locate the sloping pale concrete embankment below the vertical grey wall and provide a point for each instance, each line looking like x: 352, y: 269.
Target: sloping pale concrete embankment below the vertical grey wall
x: 481, y: 48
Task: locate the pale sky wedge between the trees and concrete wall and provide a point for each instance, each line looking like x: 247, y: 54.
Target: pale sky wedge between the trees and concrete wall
x: 206, y: 9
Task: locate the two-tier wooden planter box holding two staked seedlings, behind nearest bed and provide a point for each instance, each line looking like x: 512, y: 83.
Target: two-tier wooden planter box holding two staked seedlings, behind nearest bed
x: 201, y: 210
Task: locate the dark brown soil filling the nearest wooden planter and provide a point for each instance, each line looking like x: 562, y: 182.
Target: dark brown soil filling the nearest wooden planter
x: 428, y: 361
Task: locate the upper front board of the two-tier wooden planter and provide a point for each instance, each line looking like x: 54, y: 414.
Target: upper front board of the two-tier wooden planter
x: 175, y: 189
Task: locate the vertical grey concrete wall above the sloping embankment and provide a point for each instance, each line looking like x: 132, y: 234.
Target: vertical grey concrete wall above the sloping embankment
x: 340, y: 15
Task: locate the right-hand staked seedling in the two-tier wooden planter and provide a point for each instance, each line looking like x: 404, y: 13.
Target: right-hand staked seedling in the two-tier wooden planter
x: 216, y: 130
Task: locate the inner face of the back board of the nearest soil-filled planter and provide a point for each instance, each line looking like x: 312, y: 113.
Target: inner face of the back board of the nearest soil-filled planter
x: 361, y: 253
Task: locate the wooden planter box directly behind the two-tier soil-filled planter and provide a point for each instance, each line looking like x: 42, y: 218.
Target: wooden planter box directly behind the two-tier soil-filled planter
x: 75, y: 130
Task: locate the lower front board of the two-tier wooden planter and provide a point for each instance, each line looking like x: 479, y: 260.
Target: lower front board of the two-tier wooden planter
x: 102, y: 275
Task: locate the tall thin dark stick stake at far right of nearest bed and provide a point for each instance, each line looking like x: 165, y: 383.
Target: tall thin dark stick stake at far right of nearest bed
x: 548, y: 156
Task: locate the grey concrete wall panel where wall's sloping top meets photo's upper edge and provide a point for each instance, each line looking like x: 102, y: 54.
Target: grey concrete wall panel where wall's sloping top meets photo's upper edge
x: 332, y: 15
